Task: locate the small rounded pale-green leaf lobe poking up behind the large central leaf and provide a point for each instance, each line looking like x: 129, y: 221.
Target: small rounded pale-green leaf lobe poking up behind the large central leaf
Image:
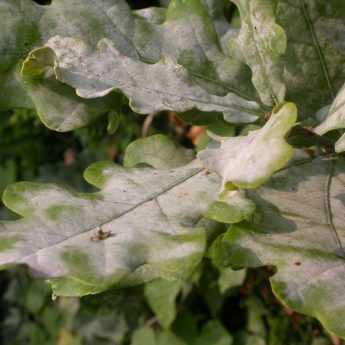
x: 158, y: 151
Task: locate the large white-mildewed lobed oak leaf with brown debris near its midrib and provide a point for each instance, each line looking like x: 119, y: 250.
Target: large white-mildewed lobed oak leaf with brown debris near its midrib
x: 85, y: 243
